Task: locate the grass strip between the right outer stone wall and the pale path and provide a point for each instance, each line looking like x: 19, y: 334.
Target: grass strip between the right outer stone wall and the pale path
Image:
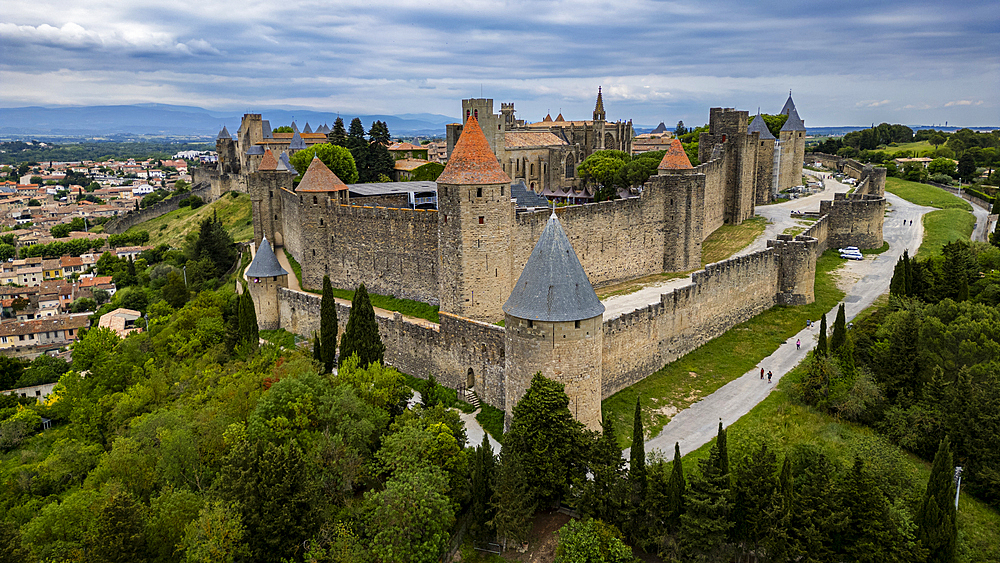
x: 701, y: 372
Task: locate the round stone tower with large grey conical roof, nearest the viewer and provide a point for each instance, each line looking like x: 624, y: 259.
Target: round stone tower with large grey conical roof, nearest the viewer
x: 554, y: 325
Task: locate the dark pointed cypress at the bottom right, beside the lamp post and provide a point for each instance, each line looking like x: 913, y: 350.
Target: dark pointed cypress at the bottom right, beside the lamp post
x: 936, y: 527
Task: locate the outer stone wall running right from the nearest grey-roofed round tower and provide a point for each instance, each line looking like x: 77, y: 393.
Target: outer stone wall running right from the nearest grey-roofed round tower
x: 721, y: 296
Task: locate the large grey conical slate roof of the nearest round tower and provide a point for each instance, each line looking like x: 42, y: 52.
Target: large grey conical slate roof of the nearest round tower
x: 553, y: 286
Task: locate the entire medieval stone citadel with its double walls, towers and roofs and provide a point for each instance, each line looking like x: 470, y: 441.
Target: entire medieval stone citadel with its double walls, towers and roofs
x: 493, y: 251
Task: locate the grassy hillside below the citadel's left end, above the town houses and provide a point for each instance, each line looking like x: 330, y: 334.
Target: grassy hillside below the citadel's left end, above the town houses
x: 234, y: 212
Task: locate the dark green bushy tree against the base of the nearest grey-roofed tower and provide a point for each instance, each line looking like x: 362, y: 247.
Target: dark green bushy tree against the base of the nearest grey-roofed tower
x: 547, y: 439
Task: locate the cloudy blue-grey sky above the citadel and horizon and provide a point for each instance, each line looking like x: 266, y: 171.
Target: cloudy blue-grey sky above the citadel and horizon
x: 847, y: 62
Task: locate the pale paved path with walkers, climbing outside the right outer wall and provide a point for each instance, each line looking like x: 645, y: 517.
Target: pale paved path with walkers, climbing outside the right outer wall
x: 698, y: 424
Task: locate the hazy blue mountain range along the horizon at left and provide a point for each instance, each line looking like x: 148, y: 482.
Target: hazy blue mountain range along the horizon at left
x: 170, y: 120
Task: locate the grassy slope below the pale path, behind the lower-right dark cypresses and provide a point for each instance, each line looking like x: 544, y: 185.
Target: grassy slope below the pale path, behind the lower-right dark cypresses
x: 782, y: 423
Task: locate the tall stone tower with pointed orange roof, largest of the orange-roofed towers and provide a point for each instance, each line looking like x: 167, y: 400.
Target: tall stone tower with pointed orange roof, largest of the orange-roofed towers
x: 475, y: 220
